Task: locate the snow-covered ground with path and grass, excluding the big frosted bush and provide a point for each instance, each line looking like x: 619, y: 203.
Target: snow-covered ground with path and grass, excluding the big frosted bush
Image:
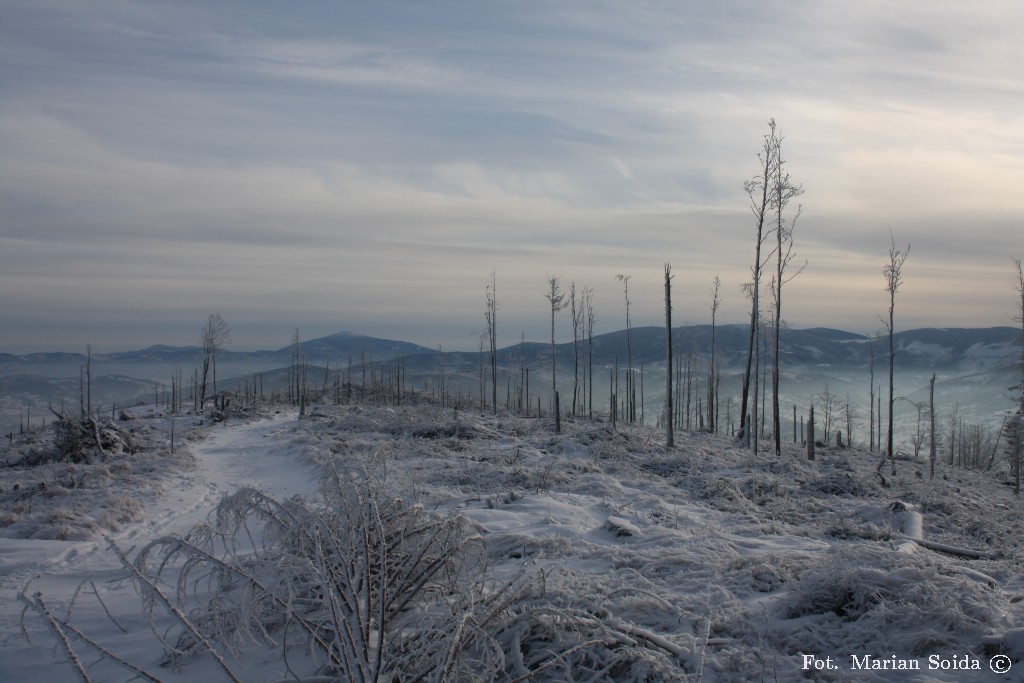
x: 629, y: 561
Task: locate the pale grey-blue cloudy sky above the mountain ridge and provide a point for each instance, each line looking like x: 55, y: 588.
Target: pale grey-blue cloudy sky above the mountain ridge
x: 366, y: 166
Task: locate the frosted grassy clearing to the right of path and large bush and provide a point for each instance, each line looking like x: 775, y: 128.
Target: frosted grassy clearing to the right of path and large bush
x: 754, y: 550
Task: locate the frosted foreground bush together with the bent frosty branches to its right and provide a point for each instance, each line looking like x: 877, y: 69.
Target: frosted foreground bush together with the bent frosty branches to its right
x: 376, y: 589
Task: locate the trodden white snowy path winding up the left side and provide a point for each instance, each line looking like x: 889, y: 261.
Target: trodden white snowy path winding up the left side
x: 233, y: 456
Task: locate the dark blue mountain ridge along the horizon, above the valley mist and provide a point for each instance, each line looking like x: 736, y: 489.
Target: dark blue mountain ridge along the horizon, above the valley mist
x: 963, y: 350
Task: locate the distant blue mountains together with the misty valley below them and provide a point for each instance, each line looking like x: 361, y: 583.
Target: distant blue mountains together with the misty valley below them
x: 978, y: 364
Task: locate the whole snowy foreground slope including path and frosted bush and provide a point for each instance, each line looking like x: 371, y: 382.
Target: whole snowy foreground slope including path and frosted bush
x: 594, y: 554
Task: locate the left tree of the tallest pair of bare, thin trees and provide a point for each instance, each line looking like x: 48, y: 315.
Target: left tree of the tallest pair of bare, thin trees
x: 759, y: 192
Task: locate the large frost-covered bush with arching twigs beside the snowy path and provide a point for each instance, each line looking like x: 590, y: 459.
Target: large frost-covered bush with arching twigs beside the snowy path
x: 348, y: 577
